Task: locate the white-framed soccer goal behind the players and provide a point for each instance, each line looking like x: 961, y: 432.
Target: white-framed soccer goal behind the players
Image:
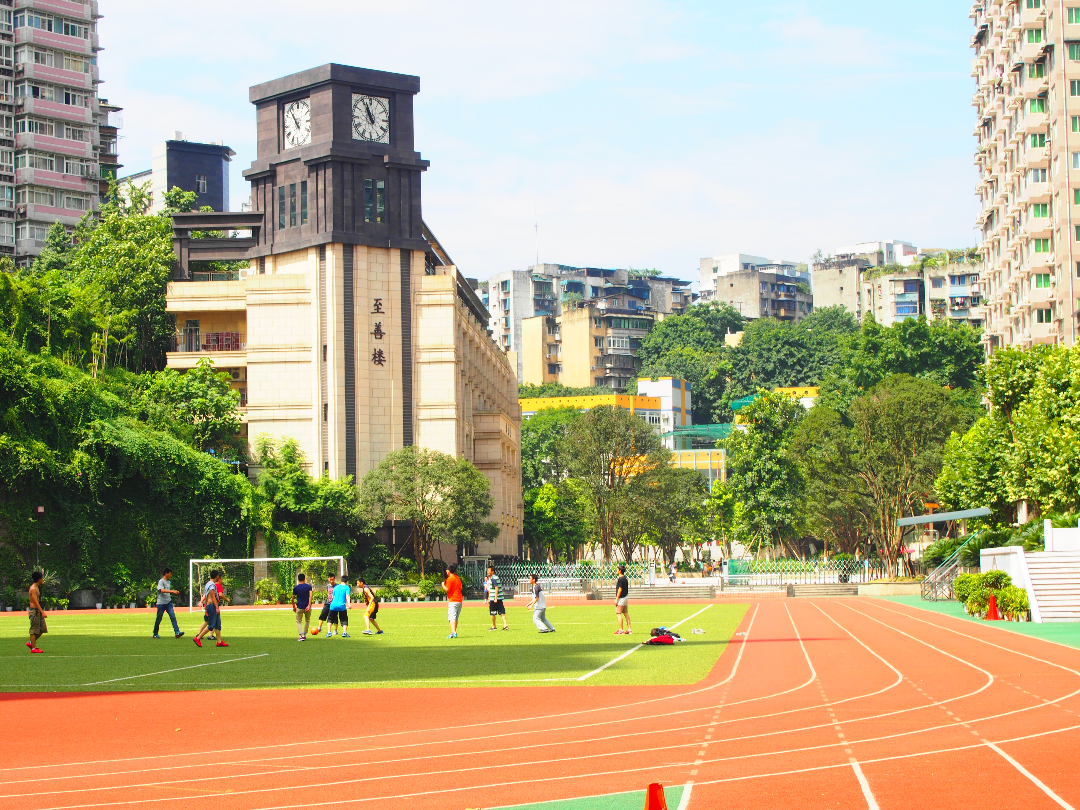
x: 261, y: 580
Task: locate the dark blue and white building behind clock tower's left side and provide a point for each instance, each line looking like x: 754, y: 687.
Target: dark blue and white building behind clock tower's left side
x: 192, y: 167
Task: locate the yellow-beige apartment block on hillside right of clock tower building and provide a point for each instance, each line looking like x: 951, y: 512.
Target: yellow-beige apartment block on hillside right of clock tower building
x: 590, y: 345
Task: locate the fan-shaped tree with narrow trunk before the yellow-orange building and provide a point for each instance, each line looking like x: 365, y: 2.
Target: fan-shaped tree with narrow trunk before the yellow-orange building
x: 605, y: 450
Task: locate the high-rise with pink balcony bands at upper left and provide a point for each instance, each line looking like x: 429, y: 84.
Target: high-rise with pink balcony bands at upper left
x: 56, y: 125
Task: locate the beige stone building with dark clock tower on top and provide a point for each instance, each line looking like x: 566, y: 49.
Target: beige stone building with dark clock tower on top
x: 353, y: 331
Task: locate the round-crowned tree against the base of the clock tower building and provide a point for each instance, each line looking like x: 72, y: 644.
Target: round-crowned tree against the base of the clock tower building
x: 445, y: 499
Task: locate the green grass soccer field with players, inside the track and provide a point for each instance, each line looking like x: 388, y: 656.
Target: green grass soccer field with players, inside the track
x: 98, y: 652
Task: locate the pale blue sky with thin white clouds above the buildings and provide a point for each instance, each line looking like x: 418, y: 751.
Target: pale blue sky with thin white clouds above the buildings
x: 603, y: 133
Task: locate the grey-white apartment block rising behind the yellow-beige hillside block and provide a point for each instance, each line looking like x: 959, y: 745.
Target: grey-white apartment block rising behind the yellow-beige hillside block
x: 550, y: 290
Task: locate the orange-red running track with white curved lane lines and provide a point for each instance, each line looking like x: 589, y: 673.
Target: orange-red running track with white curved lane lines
x: 845, y: 704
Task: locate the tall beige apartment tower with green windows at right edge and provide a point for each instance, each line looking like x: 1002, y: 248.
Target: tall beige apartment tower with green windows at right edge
x: 1028, y: 101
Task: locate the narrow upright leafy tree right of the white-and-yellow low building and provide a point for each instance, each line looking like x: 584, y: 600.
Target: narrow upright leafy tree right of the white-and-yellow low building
x: 763, y: 478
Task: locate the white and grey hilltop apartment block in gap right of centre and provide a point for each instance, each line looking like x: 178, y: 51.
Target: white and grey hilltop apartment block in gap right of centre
x: 758, y: 287
